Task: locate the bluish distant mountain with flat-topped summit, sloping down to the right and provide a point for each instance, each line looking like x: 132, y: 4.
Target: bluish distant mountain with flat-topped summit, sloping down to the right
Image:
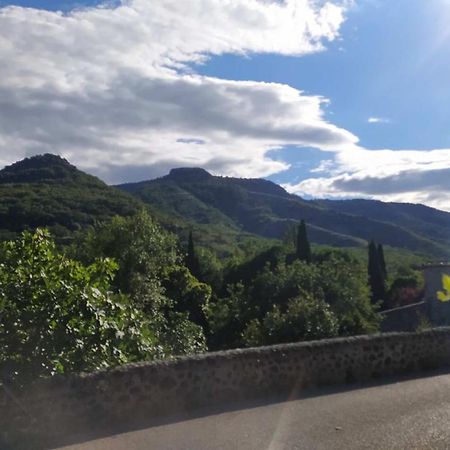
x: 266, y: 209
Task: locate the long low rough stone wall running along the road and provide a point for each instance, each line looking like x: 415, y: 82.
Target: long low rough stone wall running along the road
x: 121, y: 397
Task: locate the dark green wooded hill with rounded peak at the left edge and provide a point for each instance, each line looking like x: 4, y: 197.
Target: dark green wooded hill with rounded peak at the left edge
x: 48, y: 191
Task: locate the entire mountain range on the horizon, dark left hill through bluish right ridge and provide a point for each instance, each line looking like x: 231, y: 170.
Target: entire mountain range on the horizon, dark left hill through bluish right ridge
x: 224, y: 213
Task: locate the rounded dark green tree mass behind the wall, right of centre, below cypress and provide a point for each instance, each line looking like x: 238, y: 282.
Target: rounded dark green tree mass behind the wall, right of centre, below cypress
x: 270, y: 301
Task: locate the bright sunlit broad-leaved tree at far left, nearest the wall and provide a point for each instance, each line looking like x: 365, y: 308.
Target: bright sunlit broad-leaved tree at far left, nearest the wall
x: 58, y: 315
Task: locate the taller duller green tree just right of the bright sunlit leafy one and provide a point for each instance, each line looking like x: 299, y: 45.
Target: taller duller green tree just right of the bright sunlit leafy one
x: 151, y: 272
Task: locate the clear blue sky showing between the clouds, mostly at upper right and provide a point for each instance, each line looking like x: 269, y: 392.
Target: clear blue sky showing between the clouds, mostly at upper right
x: 386, y: 65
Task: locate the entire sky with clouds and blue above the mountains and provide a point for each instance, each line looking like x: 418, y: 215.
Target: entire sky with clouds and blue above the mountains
x: 330, y: 98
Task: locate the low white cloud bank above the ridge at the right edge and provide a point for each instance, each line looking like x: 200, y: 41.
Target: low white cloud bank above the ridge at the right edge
x: 389, y: 175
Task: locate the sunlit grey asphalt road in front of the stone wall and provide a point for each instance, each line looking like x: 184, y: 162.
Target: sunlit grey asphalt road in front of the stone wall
x: 411, y: 414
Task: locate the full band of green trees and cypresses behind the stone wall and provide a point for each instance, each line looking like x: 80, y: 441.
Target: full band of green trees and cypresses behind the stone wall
x: 127, y: 290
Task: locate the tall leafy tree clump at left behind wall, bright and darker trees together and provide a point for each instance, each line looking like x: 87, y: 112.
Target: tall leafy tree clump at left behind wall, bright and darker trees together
x: 122, y: 296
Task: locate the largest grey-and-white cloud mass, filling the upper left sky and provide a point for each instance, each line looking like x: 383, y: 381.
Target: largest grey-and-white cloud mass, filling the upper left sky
x: 111, y: 88
